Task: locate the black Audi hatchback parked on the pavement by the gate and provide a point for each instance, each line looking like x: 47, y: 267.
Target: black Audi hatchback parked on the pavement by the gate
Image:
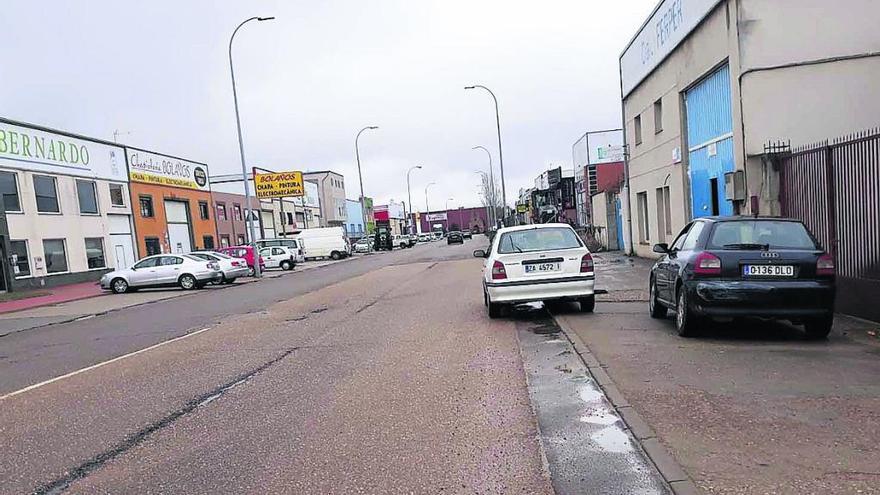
x: 723, y: 267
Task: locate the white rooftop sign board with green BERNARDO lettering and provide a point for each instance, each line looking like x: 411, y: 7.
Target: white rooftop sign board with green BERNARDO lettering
x: 26, y: 148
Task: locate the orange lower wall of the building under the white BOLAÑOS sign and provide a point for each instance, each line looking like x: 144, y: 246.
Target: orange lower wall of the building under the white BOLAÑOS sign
x: 157, y: 227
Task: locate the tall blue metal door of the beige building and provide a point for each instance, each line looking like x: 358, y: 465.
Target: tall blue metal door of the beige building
x: 710, y: 143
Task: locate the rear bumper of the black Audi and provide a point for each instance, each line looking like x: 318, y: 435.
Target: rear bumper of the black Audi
x: 768, y: 299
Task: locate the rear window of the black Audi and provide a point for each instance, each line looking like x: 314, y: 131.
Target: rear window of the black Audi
x: 760, y: 233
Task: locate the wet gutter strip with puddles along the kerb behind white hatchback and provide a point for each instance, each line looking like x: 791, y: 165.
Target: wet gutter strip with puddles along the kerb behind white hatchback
x: 588, y: 447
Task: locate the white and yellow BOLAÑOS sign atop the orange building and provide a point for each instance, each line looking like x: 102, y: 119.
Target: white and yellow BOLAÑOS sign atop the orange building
x: 154, y: 168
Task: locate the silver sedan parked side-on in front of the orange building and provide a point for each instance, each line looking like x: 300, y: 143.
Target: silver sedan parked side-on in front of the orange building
x: 163, y: 270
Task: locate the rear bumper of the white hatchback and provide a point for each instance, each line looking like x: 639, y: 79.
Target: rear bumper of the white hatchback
x: 541, y: 289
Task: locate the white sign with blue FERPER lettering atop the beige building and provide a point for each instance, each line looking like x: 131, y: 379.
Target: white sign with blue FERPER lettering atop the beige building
x: 669, y: 24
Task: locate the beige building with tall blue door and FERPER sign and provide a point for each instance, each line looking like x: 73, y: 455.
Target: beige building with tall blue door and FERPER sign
x: 708, y: 83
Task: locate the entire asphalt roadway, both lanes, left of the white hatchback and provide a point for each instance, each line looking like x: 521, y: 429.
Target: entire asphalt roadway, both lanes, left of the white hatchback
x: 377, y: 375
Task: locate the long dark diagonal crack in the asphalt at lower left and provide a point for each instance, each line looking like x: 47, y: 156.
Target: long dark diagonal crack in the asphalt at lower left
x: 63, y: 483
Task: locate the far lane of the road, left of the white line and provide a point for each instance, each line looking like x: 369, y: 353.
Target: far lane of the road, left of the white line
x: 39, y: 354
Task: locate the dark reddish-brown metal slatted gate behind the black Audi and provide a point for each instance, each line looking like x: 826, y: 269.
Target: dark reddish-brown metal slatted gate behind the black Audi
x: 834, y: 188
